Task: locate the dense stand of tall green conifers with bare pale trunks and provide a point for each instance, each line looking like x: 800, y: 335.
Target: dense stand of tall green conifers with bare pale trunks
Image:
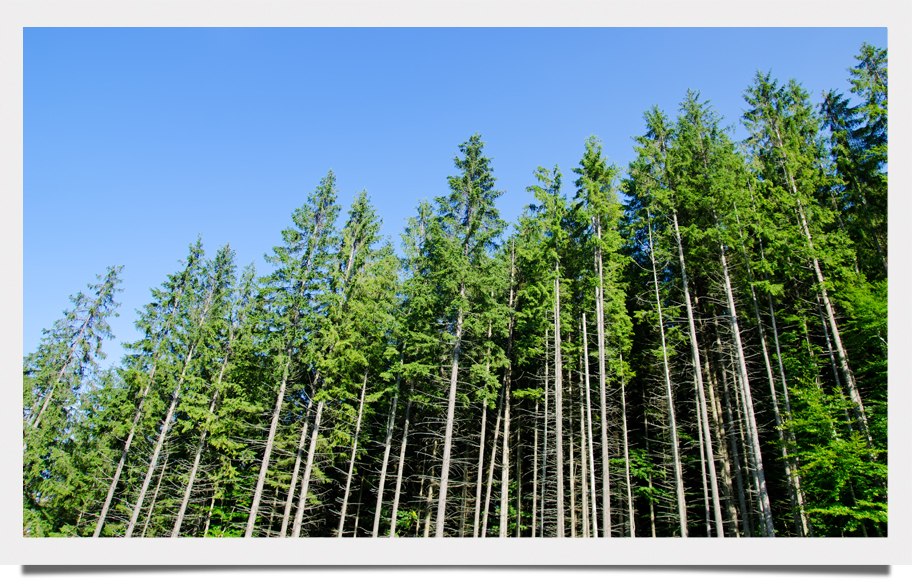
x: 691, y: 346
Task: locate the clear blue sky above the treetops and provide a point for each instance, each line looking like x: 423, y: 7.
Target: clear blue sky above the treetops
x: 138, y: 140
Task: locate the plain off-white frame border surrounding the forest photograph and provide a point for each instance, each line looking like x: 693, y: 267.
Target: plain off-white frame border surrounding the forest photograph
x: 14, y: 15
